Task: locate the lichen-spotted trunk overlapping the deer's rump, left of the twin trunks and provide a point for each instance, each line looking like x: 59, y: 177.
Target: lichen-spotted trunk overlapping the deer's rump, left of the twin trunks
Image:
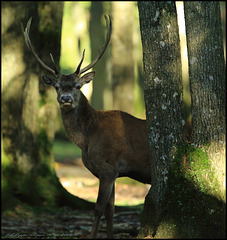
x: 163, y: 99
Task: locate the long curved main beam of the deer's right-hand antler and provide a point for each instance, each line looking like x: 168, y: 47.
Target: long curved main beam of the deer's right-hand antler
x: 109, y: 30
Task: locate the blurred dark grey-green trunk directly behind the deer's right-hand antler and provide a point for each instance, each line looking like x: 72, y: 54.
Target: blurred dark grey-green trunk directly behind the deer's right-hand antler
x: 102, y: 82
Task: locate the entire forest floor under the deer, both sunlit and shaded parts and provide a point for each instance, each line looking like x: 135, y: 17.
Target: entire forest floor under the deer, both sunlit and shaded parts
x: 66, y: 223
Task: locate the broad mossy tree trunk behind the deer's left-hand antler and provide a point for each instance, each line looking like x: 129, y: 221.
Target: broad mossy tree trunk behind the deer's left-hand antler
x: 28, y: 117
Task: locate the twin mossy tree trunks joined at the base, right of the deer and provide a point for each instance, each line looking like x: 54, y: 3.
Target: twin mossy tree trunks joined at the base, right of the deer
x: 182, y: 173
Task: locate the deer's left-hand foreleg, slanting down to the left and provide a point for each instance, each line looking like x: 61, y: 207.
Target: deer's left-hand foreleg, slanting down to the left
x: 106, y: 185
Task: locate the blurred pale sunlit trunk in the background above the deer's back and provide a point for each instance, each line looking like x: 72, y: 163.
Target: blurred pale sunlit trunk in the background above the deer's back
x: 123, y: 65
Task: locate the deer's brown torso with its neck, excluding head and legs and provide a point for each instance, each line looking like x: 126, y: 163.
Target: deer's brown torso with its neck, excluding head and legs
x: 109, y: 140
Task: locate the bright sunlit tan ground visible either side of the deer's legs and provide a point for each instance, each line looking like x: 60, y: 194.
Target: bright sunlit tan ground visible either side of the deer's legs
x: 80, y: 182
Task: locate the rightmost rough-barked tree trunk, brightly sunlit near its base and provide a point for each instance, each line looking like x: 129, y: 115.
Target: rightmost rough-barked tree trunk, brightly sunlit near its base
x: 207, y: 81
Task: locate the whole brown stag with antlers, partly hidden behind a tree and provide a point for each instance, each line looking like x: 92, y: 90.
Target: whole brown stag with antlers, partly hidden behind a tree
x: 113, y: 143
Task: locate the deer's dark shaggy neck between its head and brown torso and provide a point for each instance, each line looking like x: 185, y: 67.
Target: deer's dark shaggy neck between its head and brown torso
x: 80, y: 122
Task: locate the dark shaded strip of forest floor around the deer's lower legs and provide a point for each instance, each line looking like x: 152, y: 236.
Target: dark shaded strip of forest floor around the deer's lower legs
x: 65, y: 224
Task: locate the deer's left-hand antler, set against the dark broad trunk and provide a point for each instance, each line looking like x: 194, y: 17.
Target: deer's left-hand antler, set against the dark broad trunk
x: 30, y: 47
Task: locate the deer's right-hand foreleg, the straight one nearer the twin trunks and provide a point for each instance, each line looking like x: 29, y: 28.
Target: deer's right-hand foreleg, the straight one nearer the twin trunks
x: 109, y: 211
